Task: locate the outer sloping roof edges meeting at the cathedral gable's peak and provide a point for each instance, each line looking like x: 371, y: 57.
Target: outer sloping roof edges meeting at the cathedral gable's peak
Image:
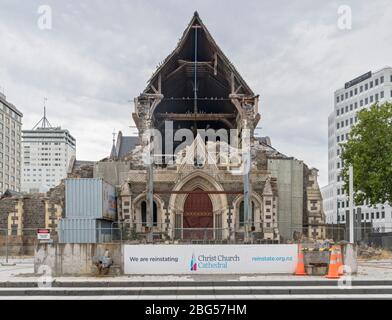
x: 197, y: 21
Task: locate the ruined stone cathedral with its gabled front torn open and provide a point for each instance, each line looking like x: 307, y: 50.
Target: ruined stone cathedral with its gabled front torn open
x: 194, y: 189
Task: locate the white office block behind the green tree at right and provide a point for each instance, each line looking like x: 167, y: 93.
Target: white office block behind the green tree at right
x: 357, y: 94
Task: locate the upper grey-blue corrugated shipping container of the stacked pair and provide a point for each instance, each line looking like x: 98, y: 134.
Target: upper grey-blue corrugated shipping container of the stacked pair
x: 90, y: 198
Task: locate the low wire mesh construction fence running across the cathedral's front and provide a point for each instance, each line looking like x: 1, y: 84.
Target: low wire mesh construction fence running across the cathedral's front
x: 20, y: 243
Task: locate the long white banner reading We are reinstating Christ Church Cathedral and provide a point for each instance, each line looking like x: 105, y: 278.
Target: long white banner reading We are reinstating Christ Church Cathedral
x: 194, y: 259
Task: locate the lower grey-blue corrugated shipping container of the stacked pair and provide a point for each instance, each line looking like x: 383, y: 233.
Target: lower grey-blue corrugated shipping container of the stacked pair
x: 84, y: 230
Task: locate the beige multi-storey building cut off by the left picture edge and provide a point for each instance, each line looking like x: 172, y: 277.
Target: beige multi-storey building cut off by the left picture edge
x: 10, y: 146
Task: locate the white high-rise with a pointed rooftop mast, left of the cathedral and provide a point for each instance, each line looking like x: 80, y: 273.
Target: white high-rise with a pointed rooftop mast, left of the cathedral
x: 47, y: 152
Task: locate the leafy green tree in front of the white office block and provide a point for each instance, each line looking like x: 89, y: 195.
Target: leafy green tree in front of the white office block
x: 369, y: 151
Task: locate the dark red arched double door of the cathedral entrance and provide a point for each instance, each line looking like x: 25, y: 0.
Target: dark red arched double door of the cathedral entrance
x: 198, y: 216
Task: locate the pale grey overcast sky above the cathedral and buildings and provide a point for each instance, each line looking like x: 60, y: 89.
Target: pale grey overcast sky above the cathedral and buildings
x: 99, y: 54
